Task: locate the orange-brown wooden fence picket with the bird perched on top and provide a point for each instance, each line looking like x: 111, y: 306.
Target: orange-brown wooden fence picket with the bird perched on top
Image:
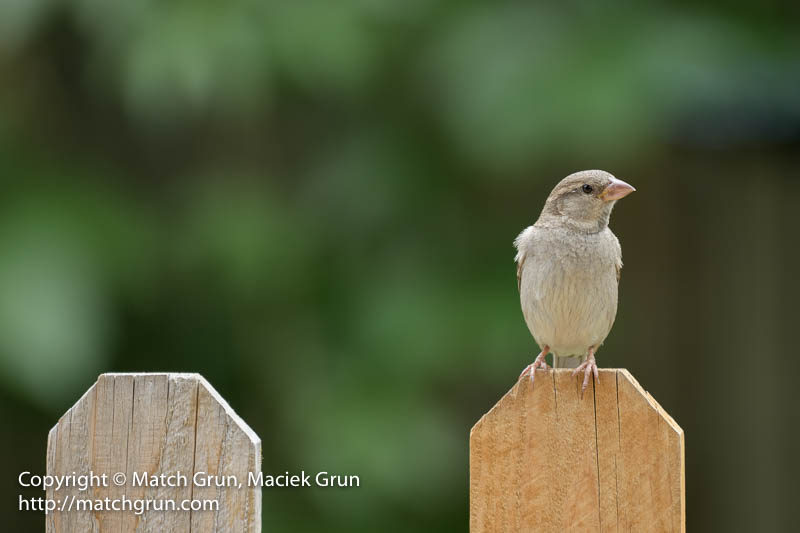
x: 542, y: 459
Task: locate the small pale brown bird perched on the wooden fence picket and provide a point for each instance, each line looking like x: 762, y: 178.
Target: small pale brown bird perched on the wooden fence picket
x: 568, y: 269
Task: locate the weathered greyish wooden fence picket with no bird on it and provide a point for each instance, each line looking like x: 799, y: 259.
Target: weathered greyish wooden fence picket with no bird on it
x: 127, y: 425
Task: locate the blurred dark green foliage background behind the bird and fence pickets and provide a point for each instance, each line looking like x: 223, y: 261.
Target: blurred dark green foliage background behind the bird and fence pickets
x: 312, y: 204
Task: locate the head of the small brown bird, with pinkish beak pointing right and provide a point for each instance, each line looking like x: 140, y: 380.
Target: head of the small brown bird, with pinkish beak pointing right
x: 584, y: 200
